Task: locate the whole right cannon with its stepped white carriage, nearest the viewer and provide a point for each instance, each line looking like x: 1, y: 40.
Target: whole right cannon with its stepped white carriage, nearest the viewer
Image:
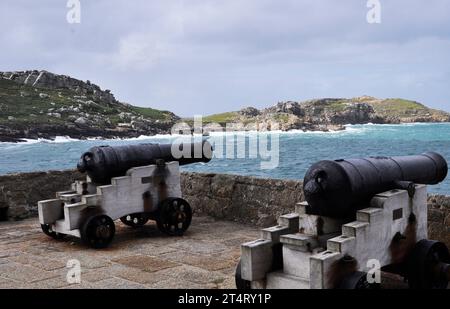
x: 361, y: 217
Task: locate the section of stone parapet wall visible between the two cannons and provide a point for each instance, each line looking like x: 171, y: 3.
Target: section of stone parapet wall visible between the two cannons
x: 252, y: 200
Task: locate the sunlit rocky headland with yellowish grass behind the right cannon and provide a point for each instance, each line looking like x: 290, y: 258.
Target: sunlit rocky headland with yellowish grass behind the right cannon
x: 334, y: 113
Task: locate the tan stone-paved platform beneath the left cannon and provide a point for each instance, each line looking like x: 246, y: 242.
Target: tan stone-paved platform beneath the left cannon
x: 138, y: 258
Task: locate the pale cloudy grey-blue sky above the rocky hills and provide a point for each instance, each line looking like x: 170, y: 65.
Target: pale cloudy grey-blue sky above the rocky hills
x: 209, y: 56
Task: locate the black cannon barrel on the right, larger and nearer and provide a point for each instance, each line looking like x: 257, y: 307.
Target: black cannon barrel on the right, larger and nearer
x: 339, y: 188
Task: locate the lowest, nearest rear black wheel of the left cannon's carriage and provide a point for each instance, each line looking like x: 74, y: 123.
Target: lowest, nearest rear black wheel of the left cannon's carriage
x: 98, y: 231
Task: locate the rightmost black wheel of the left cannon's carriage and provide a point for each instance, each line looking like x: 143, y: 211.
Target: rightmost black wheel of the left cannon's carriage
x: 174, y: 216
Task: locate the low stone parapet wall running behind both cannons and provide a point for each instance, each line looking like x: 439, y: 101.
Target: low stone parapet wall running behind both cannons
x: 244, y: 199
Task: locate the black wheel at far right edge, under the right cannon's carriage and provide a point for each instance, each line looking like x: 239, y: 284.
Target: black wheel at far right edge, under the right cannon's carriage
x: 423, y: 271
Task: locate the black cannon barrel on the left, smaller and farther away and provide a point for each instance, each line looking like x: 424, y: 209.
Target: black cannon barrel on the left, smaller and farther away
x: 102, y: 163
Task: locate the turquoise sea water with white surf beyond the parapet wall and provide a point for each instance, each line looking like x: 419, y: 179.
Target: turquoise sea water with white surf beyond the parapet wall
x: 297, y: 150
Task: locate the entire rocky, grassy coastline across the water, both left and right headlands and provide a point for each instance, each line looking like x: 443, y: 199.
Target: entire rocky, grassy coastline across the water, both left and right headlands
x: 39, y: 104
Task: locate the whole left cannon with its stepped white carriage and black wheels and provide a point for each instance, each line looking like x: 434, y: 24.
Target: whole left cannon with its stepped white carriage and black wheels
x: 133, y: 183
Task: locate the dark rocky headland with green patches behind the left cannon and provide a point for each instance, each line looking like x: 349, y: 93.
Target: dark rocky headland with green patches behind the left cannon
x: 40, y: 104
